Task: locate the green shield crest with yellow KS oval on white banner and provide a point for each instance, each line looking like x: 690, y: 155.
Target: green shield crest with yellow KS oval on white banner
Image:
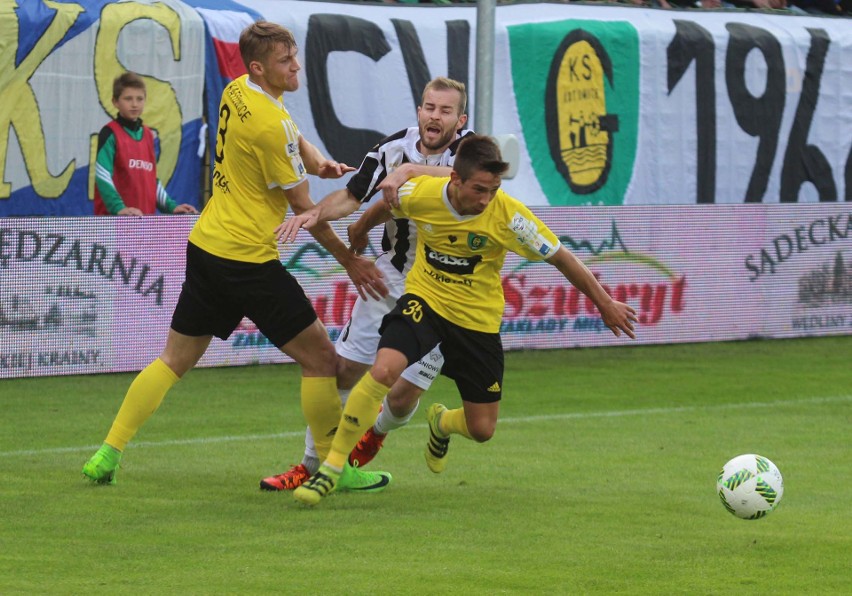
x: 584, y: 145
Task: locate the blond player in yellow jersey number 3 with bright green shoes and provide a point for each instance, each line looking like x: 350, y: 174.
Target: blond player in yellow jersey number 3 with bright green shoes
x: 232, y: 263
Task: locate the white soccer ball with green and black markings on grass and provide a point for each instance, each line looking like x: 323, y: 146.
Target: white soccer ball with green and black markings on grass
x: 750, y: 486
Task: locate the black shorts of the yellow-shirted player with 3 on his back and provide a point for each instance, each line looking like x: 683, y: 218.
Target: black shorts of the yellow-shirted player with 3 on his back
x: 217, y: 293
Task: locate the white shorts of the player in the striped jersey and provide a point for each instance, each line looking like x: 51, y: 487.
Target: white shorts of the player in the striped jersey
x: 359, y: 339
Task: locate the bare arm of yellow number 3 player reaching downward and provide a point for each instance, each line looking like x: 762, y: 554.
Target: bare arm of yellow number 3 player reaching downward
x: 363, y: 272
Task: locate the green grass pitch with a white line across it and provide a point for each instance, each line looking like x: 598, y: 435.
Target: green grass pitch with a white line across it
x: 600, y: 480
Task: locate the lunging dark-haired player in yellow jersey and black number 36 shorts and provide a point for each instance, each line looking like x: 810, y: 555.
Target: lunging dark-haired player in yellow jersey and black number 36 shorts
x: 465, y: 226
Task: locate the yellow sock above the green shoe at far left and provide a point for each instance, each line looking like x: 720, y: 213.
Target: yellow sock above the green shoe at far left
x: 144, y: 396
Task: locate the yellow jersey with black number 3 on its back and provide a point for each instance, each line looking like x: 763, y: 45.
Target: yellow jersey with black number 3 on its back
x: 257, y: 156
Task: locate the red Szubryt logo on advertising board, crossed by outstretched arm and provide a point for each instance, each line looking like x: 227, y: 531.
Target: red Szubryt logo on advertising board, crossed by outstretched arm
x: 534, y: 304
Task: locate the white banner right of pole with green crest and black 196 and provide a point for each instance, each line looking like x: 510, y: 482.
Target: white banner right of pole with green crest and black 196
x: 623, y: 106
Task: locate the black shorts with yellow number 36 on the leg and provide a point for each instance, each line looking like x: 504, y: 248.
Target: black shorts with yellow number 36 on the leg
x: 473, y: 359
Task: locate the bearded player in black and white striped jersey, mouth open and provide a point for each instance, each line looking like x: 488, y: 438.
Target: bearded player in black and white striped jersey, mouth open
x: 427, y: 149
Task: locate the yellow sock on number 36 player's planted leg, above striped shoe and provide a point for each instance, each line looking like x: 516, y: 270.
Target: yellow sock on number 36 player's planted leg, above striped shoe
x: 360, y: 413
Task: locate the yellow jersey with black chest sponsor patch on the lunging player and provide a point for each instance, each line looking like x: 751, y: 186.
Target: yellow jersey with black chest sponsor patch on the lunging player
x: 458, y: 260
